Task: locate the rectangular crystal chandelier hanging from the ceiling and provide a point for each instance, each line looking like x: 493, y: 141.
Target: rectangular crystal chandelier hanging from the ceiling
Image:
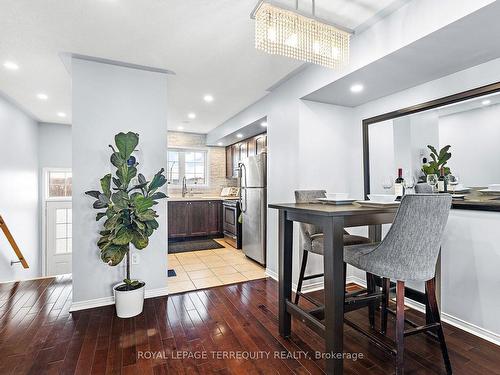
x: 288, y: 33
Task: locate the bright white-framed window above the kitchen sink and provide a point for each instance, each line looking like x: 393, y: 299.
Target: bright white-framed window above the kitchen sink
x: 191, y: 164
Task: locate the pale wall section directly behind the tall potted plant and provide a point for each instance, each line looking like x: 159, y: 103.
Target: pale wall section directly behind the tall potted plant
x: 108, y: 99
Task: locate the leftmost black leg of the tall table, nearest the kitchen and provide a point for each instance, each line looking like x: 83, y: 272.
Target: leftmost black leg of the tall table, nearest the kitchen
x: 285, y: 272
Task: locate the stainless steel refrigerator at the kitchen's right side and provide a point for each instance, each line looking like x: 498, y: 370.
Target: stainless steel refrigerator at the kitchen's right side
x: 253, y: 203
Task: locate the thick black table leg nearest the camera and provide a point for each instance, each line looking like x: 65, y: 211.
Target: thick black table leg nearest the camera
x: 334, y: 293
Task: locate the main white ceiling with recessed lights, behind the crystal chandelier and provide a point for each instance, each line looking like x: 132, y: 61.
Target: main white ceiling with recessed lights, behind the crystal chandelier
x: 209, y: 44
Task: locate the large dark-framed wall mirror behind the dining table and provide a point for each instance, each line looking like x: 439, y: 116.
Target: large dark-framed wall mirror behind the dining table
x: 468, y: 122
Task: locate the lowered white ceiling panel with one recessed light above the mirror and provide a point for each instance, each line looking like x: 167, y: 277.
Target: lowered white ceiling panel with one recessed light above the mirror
x: 455, y: 47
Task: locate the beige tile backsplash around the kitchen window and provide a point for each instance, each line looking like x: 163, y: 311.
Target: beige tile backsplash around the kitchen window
x: 216, y: 159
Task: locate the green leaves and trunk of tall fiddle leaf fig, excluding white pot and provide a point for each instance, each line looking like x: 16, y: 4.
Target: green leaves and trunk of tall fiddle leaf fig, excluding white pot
x: 127, y: 208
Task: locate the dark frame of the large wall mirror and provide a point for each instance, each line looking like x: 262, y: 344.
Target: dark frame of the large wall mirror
x: 436, y: 103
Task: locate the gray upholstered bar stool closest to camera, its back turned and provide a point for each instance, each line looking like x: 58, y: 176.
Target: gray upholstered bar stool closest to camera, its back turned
x: 408, y: 252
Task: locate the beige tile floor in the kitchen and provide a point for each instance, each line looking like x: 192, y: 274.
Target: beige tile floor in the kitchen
x: 208, y: 268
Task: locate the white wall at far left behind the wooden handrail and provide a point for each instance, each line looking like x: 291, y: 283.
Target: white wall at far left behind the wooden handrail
x: 19, y: 191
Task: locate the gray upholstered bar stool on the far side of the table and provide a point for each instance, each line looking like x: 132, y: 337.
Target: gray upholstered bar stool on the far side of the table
x: 313, y: 238
